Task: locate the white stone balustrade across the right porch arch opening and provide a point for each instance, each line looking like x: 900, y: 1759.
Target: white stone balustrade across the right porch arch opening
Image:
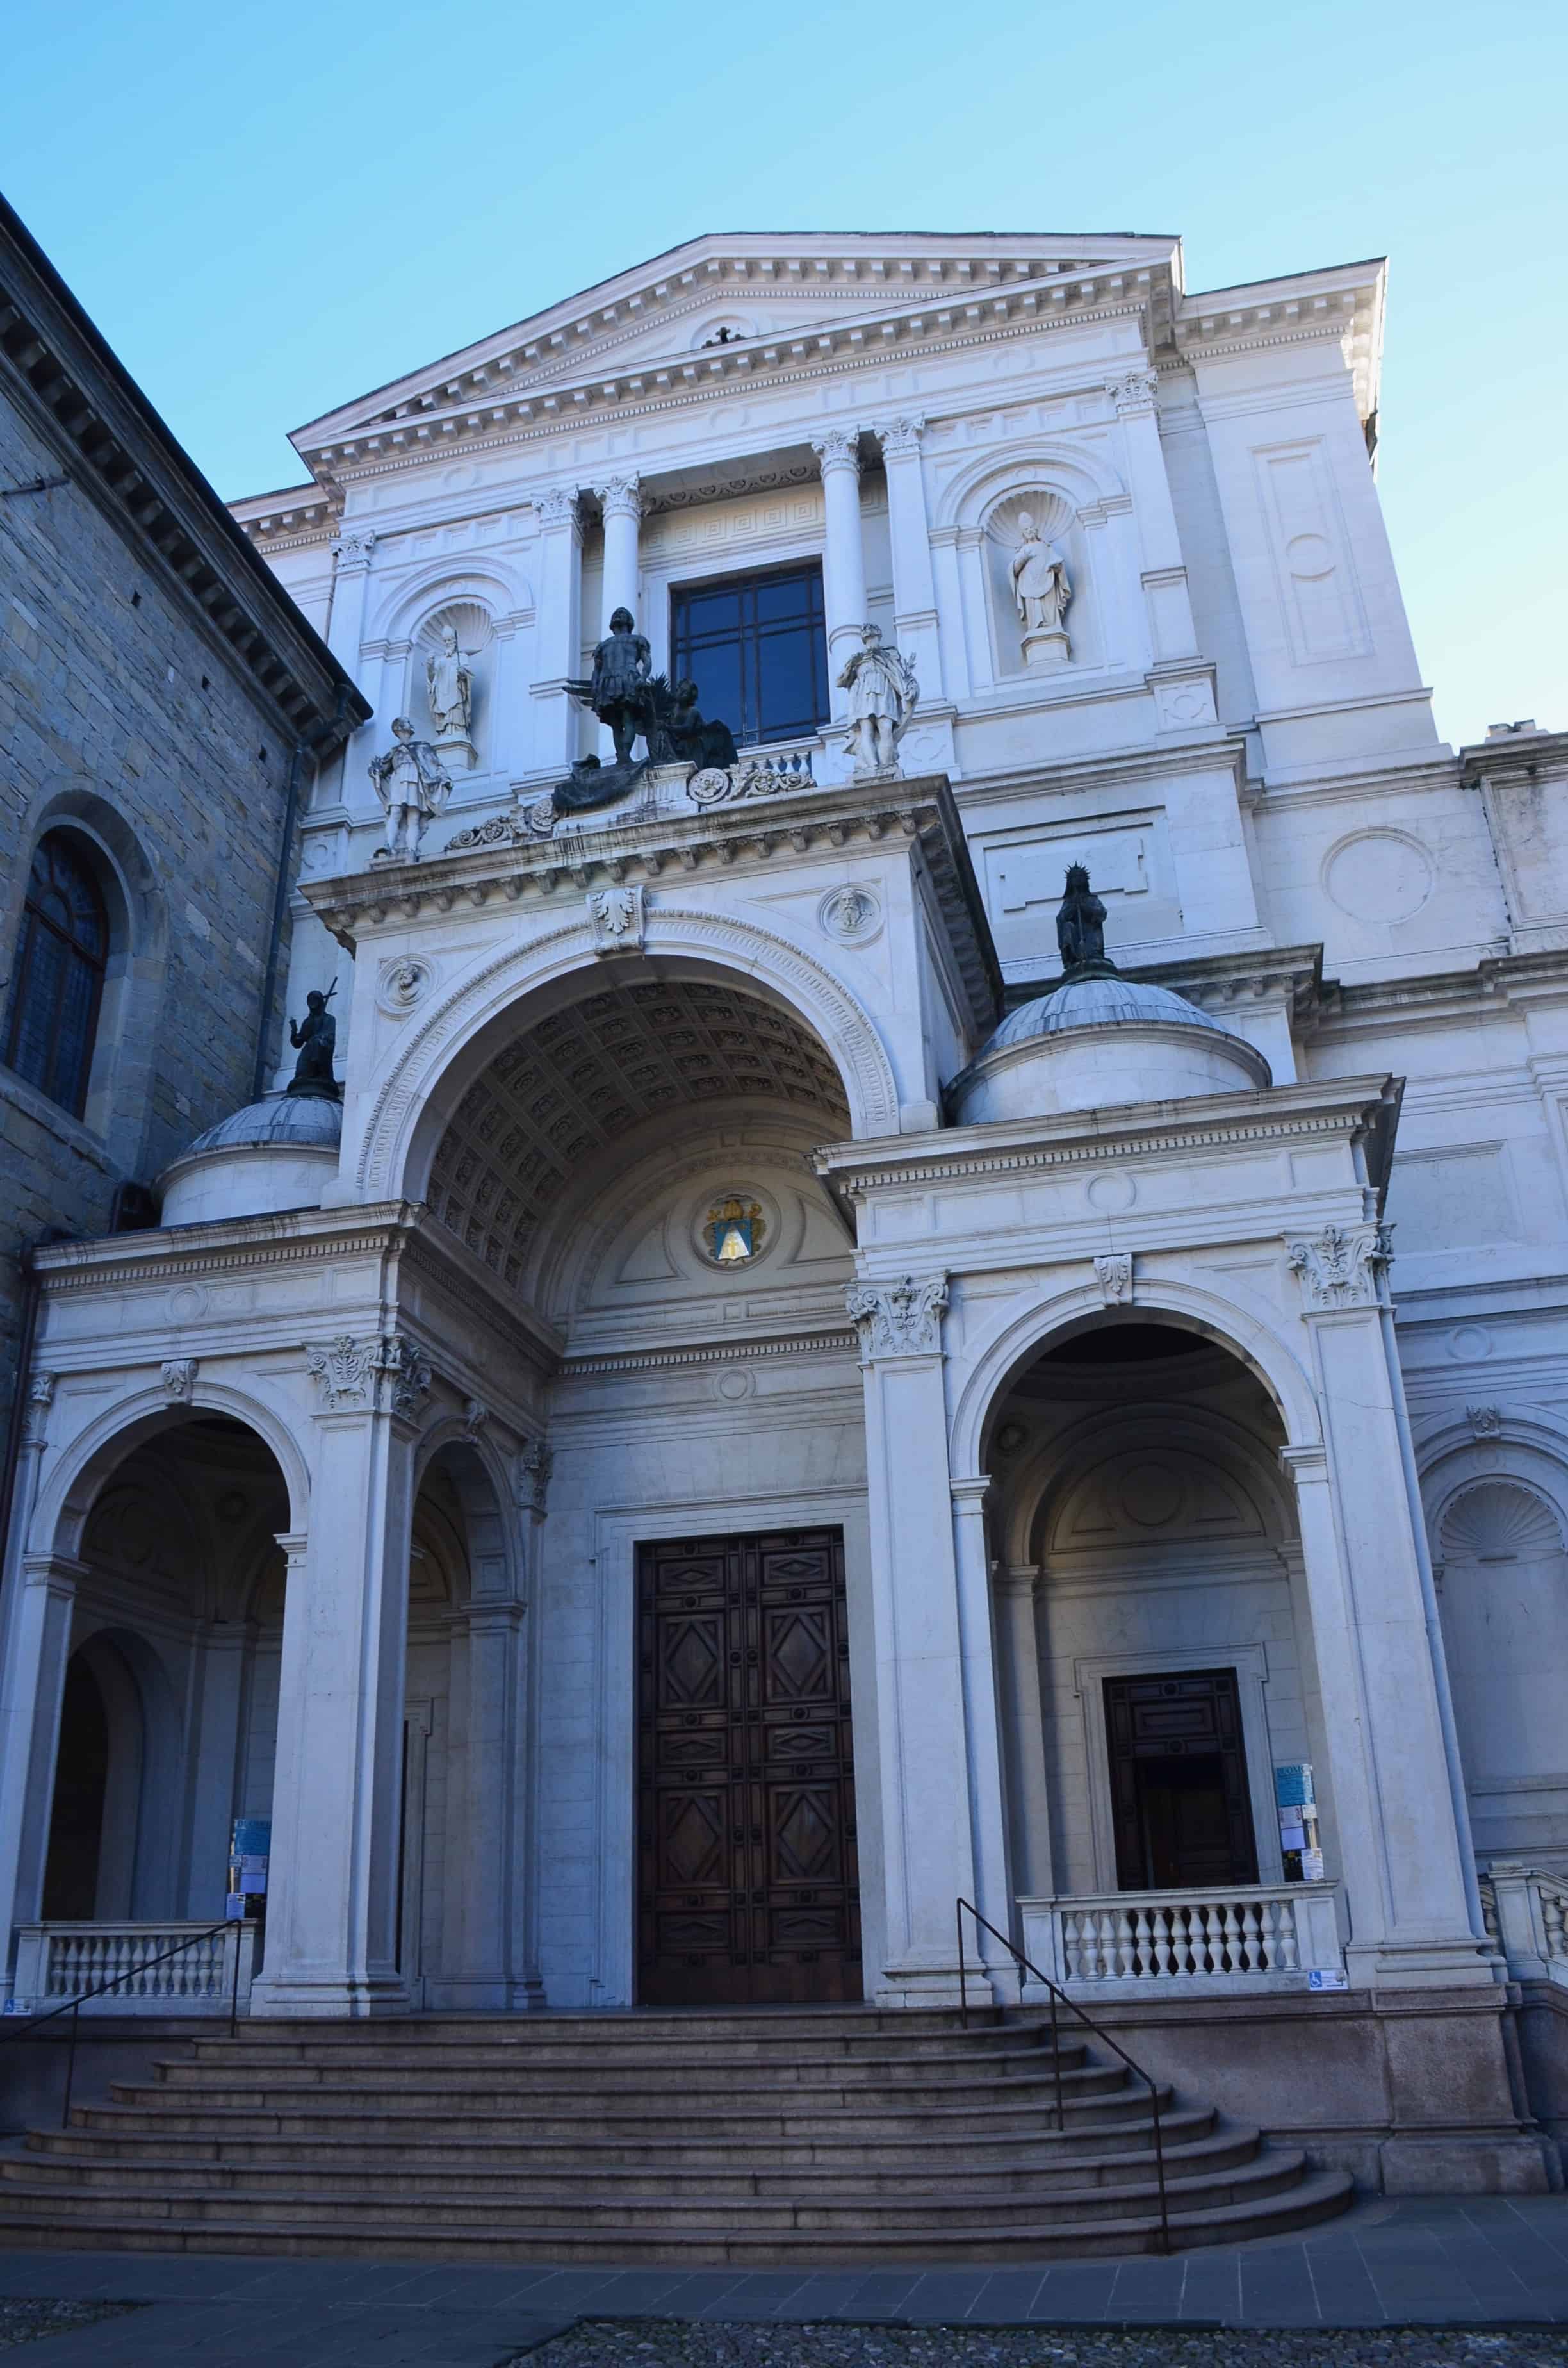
x: 1230, y: 1941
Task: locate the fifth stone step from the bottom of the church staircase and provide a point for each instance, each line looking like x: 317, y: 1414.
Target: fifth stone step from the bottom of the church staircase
x: 759, y: 2125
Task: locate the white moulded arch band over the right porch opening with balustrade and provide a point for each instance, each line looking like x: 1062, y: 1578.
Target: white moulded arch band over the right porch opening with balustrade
x: 1020, y: 1339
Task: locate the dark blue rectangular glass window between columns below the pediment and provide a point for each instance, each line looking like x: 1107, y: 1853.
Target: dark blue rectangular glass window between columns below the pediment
x: 757, y: 652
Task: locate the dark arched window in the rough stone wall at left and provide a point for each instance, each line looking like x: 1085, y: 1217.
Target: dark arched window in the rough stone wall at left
x: 60, y: 977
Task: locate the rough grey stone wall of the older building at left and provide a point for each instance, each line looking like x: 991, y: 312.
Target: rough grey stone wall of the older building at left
x: 127, y: 723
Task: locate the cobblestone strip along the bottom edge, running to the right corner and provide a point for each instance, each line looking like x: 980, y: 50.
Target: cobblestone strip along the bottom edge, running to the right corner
x: 645, y: 2343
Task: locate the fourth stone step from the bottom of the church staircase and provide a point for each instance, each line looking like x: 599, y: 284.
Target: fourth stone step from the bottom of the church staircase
x: 146, y: 2139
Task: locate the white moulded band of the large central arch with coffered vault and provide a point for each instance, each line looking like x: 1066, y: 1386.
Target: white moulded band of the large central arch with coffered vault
x: 442, y: 1060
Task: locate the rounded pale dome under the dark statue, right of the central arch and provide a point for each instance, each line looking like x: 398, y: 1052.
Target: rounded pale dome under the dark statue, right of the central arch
x: 1095, y: 1043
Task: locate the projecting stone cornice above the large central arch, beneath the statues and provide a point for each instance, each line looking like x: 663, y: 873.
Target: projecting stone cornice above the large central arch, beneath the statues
x: 738, y: 839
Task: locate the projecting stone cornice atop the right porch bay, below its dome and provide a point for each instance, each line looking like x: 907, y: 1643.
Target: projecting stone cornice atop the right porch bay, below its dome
x: 1287, y: 1114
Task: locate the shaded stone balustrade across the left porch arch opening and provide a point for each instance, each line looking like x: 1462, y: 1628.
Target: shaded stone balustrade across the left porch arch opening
x: 58, y: 1962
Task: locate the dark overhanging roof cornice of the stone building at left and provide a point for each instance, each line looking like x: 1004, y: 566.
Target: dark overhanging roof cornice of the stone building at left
x: 113, y: 444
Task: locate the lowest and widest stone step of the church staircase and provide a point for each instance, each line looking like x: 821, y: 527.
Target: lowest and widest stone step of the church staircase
x: 1306, y: 2201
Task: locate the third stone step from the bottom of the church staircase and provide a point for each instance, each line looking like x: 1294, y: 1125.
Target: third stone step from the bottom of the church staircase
x: 454, y: 2177
